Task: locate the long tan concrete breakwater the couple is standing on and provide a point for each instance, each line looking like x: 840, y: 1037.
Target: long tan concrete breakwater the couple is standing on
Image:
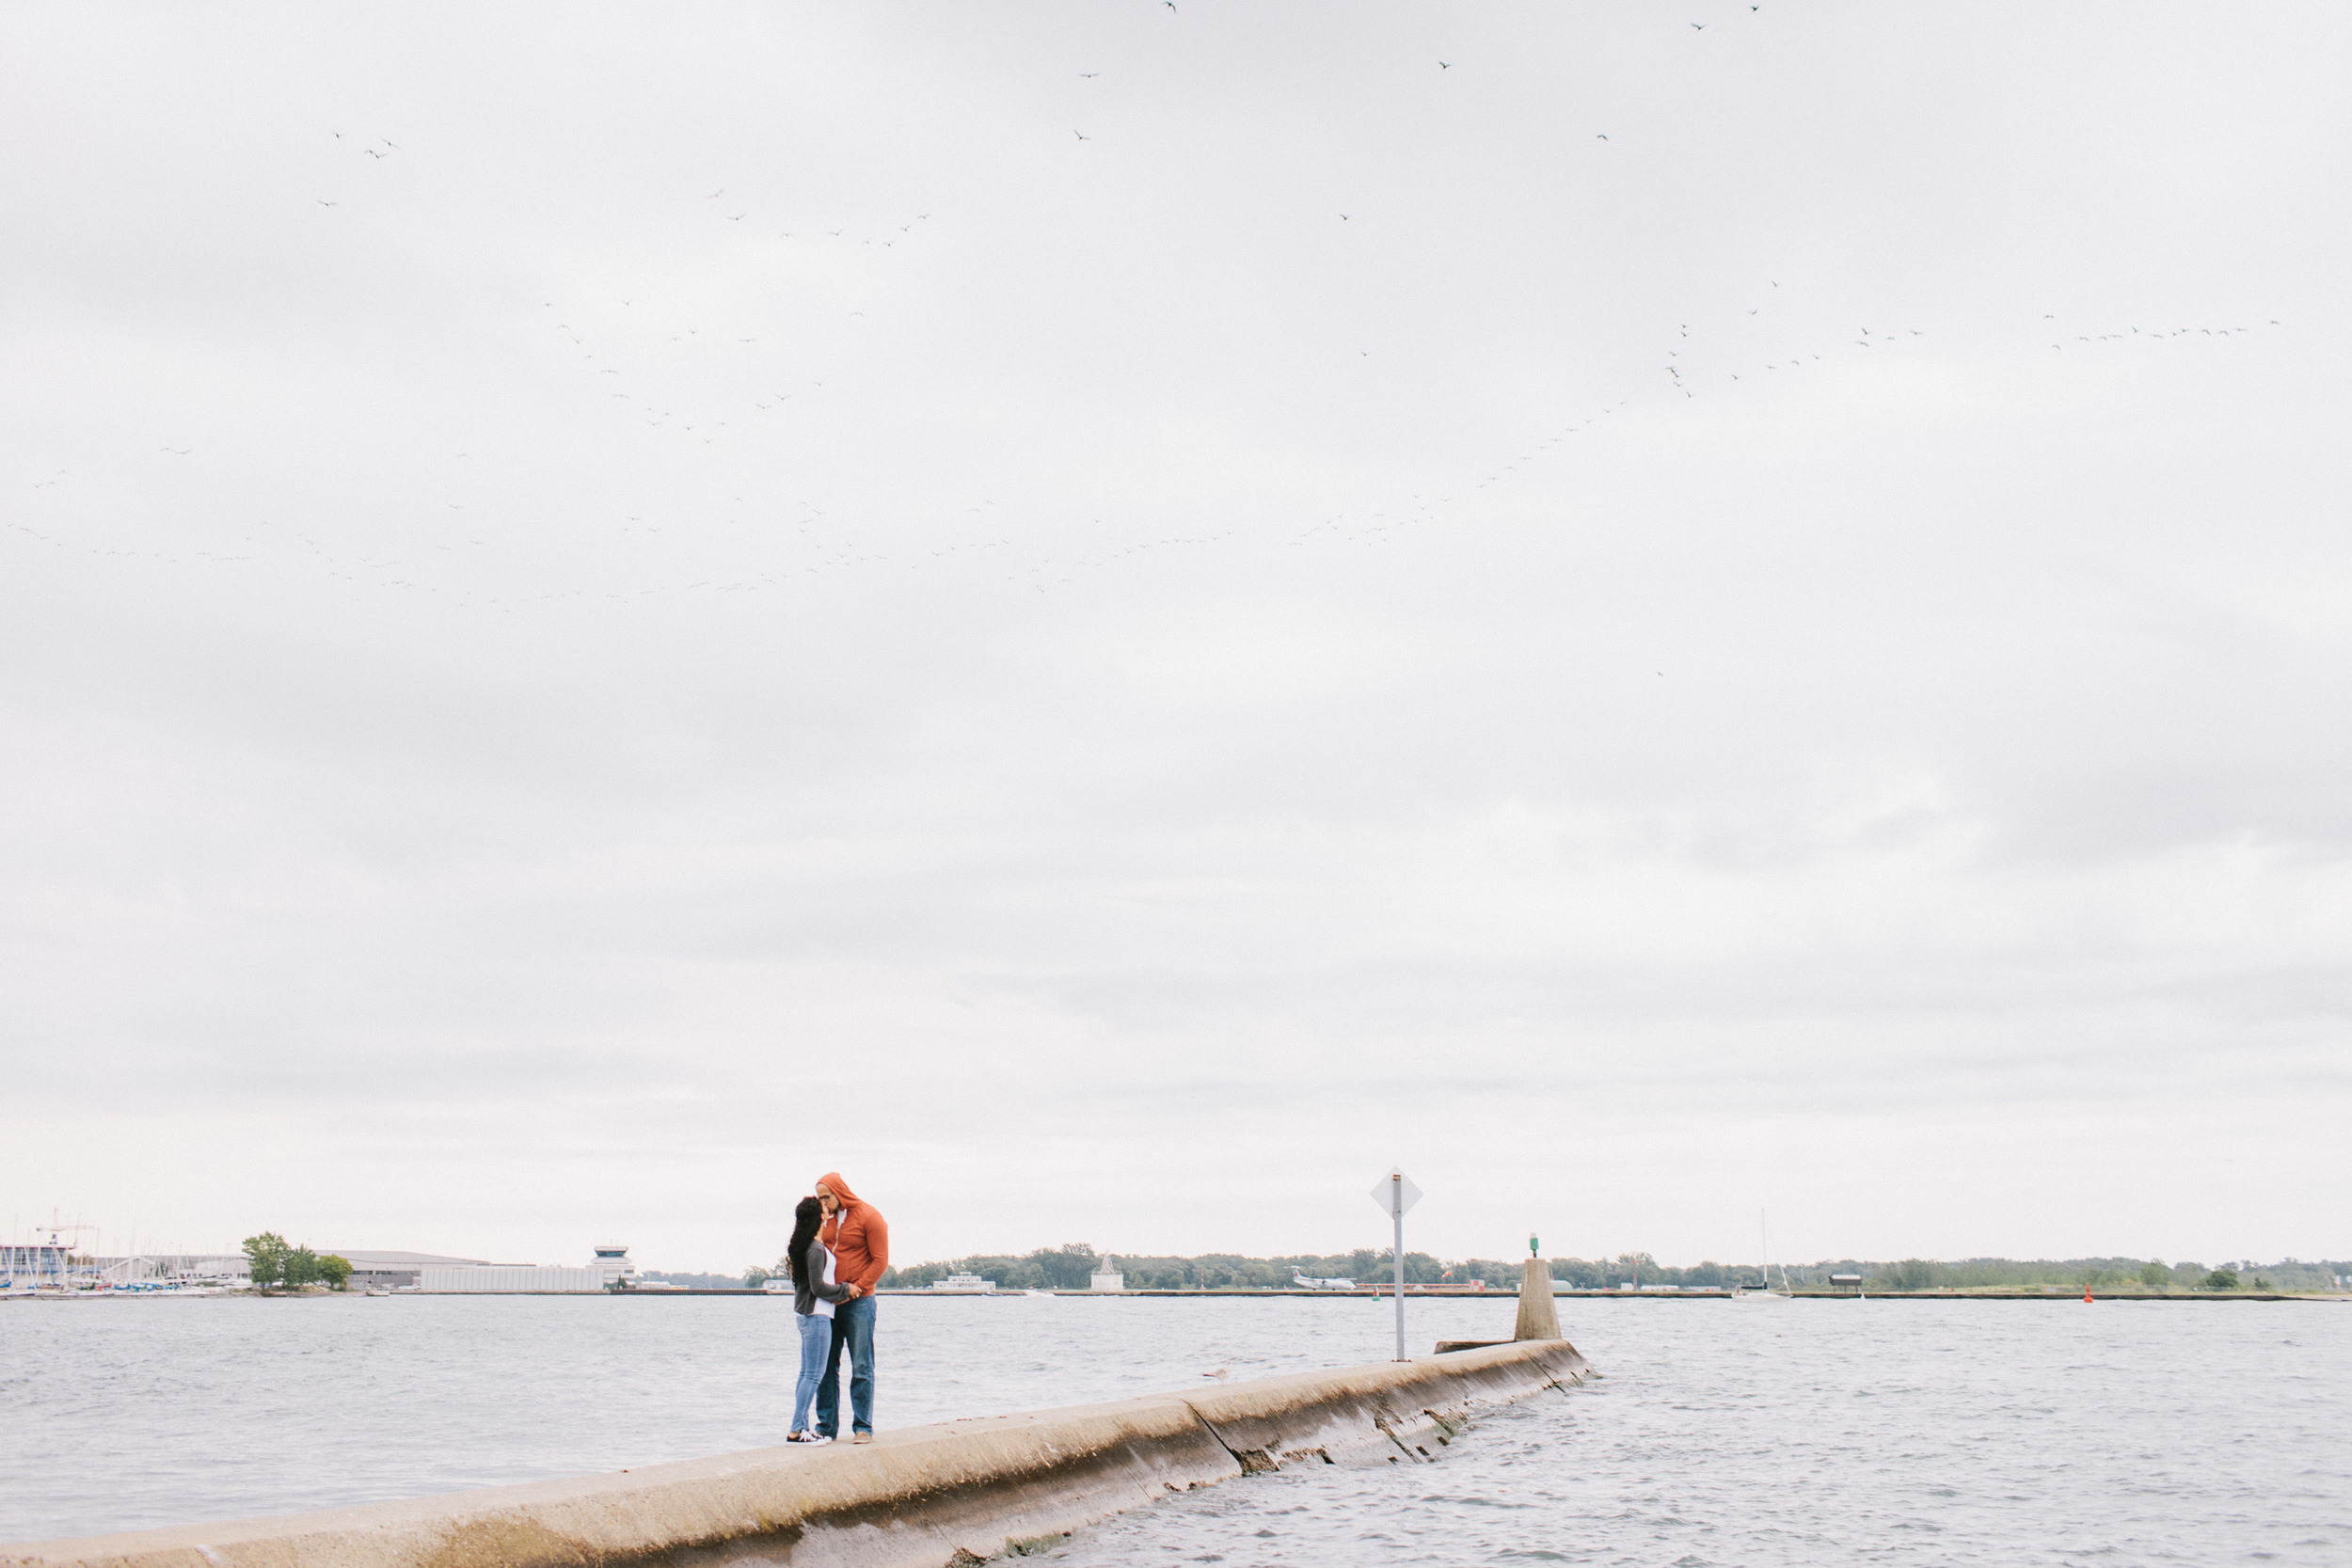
x: 923, y: 1499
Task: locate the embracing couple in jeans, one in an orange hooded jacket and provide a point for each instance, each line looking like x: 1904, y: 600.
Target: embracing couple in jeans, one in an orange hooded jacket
x: 841, y: 1247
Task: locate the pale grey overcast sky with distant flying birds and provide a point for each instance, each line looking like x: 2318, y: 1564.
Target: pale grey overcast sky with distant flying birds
x: 1116, y: 617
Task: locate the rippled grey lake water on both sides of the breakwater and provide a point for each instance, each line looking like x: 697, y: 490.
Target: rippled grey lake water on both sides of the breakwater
x: 1720, y: 1435
